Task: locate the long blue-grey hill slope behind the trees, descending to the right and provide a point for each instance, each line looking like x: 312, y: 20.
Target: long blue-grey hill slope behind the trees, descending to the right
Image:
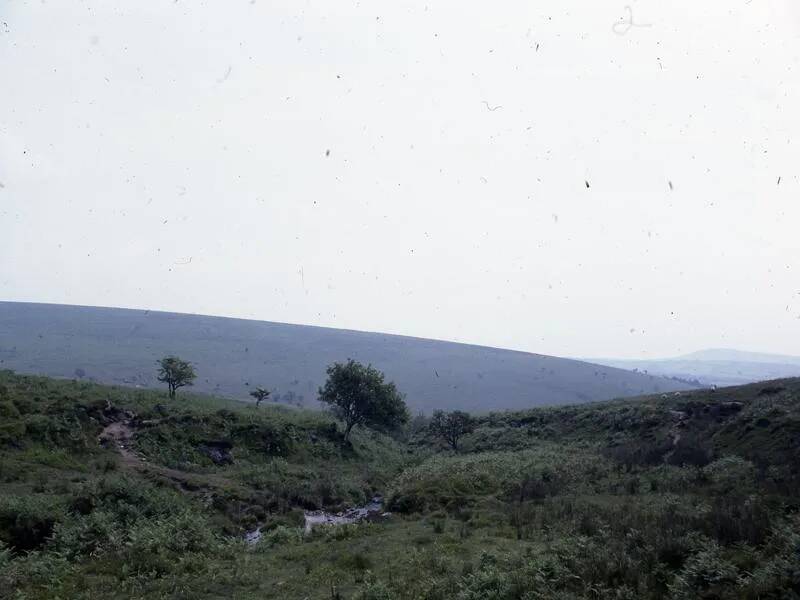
x: 121, y: 346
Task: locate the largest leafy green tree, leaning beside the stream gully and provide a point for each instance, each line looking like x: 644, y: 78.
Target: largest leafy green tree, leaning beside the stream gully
x: 358, y: 395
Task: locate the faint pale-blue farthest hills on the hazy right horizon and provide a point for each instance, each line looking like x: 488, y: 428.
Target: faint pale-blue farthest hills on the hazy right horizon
x: 716, y: 366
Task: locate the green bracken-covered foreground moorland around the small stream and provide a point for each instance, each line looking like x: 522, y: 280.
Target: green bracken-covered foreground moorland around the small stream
x: 692, y: 495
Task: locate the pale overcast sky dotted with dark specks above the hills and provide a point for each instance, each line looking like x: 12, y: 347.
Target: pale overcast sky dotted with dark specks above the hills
x: 413, y: 167
